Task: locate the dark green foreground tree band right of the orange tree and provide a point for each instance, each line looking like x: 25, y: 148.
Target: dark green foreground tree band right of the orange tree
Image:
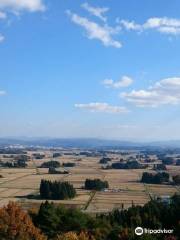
x: 117, y: 225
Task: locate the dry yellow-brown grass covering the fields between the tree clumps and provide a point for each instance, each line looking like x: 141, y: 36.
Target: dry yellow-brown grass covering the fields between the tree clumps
x: 16, y: 184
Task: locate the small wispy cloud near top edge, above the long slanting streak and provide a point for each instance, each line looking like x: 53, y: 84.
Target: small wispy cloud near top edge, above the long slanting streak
x: 96, y: 11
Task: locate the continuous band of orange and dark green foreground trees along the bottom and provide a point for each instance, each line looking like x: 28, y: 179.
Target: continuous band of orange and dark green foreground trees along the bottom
x: 59, y: 223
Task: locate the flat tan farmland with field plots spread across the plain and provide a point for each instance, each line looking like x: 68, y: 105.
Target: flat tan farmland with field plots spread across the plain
x: 125, y: 188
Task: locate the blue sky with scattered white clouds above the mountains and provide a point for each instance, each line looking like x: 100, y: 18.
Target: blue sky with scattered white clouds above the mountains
x: 90, y: 69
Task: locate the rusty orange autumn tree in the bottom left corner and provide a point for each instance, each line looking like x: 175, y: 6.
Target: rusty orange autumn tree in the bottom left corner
x: 15, y: 224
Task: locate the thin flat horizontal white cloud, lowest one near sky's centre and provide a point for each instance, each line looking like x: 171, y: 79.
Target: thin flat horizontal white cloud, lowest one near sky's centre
x: 102, y: 107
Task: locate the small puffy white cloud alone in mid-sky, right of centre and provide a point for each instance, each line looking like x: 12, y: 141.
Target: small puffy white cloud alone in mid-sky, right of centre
x: 125, y: 81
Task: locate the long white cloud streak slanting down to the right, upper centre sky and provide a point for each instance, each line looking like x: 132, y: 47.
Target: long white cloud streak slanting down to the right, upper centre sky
x: 96, y: 31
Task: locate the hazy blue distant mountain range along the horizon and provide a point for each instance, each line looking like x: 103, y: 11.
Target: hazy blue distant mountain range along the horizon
x: 85, y: 143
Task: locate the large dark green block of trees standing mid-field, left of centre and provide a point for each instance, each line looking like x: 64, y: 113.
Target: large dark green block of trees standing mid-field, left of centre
x: 56, y: 190
